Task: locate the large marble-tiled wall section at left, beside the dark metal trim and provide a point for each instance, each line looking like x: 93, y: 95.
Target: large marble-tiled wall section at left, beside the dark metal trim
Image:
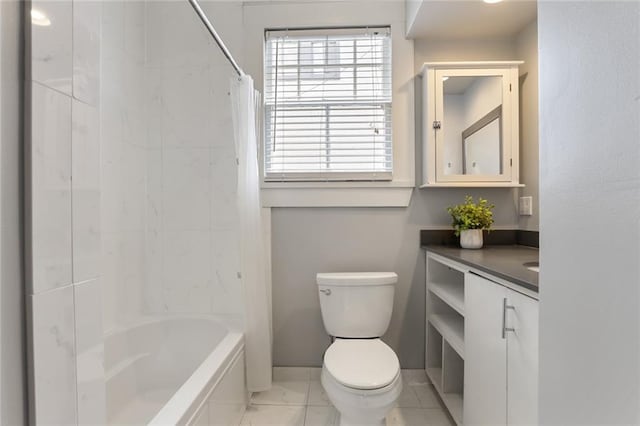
x: 62, y: 206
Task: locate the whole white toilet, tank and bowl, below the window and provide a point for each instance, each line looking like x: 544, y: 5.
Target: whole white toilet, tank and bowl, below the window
x: 360, y: 373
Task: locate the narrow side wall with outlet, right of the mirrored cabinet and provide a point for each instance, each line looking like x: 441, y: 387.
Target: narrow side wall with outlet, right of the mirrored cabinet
x: 527, y: 50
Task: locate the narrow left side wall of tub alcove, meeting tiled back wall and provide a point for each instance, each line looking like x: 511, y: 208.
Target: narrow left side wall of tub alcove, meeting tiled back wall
x: 123, y: 160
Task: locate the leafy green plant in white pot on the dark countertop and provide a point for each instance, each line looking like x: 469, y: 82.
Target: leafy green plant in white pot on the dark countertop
x: 470, y: 219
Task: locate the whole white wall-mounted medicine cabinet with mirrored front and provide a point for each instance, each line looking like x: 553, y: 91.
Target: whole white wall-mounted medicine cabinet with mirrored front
x: 470, y: 124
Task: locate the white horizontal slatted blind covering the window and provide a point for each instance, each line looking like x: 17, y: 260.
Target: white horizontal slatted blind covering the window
x: 328, y: 105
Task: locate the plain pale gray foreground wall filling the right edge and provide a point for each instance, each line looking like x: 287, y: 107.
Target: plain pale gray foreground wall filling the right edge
x: 590, y: 205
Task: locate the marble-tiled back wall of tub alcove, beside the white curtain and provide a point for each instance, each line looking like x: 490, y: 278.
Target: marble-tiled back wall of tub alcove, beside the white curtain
x: 192, y: 251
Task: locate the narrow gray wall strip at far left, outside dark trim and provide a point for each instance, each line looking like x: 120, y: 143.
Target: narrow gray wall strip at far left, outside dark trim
x: 12, y: 339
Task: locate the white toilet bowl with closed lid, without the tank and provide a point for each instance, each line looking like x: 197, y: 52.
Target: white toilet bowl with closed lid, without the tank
x: 362, y: 380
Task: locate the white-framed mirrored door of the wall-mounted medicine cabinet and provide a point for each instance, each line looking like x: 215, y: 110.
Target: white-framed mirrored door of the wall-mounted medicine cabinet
x: 473, y: 124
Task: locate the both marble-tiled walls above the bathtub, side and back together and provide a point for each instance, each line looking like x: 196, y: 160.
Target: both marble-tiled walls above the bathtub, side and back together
x: 168, y: 162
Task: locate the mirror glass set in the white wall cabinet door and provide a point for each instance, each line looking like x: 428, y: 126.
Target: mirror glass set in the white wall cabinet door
x: 472, y: 125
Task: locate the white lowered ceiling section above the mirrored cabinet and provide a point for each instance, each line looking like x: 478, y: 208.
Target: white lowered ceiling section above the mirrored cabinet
x: 469, y: 19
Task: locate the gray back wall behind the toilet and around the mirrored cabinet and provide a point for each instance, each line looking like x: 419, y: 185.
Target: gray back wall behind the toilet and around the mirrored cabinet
x: 310, y: 240
